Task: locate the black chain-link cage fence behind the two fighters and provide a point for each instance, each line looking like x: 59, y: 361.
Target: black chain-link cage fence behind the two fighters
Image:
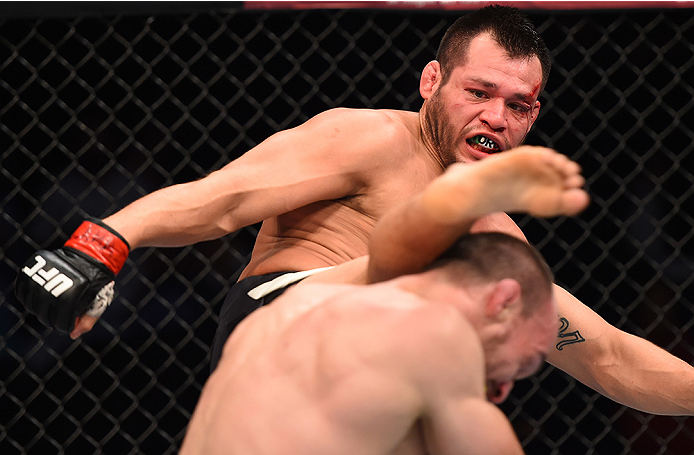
x: 100, y: 109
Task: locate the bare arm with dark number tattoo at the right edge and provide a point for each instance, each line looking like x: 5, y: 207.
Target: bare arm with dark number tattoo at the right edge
x: 621, y: 366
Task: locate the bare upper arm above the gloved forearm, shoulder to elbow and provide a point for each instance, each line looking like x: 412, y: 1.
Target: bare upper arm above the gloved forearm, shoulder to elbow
x: 322, y: 159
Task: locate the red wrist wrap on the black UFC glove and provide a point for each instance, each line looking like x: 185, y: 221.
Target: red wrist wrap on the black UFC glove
x: 101, y: 243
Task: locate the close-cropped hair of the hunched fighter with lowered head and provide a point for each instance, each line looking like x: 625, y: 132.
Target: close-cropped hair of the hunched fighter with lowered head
x: 492, y: 257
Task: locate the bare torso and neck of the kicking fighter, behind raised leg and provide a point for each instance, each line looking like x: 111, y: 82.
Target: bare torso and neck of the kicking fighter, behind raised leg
x: 332, y: 232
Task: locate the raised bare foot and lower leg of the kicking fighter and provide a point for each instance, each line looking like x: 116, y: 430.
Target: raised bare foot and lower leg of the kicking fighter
x: 533, y: 180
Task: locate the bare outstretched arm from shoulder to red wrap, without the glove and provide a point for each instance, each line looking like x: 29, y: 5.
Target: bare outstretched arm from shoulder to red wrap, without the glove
x: 290, y: 169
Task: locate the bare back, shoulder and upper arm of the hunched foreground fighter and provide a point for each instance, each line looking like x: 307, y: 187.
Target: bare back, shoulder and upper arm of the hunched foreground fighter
x: 312, y: 384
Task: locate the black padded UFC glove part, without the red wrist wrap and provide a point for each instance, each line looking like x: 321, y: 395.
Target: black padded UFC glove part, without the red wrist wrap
x: 60, y: 285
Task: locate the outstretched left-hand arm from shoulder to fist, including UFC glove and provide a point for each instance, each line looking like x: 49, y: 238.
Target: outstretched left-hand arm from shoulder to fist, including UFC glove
x: 334, y: 155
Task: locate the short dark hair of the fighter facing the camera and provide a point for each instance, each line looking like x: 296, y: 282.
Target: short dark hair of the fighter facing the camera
x: 511, y: 30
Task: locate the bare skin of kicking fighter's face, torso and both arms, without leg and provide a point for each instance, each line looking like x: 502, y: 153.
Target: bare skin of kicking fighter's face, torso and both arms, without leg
x: 369, y: 160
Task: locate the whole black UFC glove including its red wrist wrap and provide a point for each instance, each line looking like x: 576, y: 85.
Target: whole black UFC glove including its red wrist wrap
x: 57, y: 286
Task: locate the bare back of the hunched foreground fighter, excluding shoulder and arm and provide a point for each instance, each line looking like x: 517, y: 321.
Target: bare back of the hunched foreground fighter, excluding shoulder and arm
x: 303, y: 376
